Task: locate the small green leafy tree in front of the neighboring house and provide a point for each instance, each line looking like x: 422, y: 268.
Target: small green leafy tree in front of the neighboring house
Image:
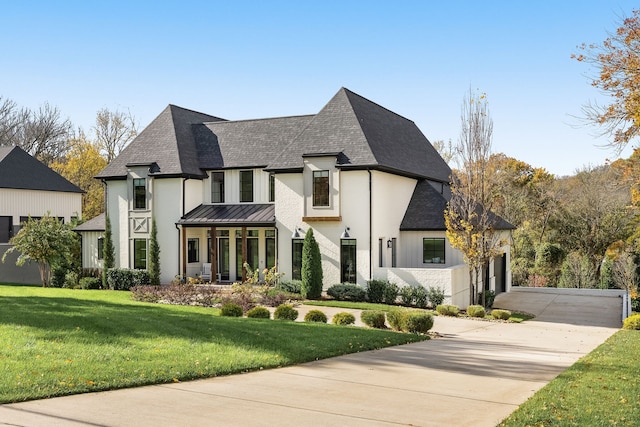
x: 46, y: 241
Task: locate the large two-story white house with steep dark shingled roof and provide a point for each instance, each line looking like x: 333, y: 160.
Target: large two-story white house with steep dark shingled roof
x: 364, y: 178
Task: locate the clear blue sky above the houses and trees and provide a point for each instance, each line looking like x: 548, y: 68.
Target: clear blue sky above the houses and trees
x: 251, y: 59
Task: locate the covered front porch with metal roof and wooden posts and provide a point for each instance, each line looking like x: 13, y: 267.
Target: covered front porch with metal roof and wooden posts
x: 226, y: 237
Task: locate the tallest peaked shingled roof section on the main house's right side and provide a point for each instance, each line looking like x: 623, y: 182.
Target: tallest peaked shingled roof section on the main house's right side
x: 366, y: 135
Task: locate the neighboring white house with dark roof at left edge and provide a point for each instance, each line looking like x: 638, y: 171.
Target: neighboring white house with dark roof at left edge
x: 29, y: 188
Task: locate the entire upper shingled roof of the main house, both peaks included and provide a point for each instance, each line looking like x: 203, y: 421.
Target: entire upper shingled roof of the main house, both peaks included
x: 360, y: 133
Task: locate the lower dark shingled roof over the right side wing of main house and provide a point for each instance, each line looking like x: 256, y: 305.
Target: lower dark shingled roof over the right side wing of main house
x: 426, y: 211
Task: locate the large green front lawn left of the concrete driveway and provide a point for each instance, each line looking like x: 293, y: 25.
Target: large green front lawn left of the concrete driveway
x: 57, y: 341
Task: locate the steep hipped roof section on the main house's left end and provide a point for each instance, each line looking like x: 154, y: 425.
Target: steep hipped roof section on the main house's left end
x: 168, y: 141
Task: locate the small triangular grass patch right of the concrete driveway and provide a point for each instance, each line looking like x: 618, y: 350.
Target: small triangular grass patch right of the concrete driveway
x: 601, y: 389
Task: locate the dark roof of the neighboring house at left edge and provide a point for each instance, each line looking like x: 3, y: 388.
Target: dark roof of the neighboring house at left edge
x: 19, y: 170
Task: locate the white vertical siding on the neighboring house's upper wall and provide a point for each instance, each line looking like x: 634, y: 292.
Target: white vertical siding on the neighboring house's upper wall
x: 19, y: 202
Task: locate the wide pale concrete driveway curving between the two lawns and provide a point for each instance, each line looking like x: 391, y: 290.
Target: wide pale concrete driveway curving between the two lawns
x: 476, y: 374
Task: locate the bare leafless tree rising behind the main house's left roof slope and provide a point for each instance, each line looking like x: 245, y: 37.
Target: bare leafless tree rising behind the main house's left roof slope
x: 114, y: 130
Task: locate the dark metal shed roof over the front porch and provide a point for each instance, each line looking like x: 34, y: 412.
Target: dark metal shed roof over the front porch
x: 231, y: 215
